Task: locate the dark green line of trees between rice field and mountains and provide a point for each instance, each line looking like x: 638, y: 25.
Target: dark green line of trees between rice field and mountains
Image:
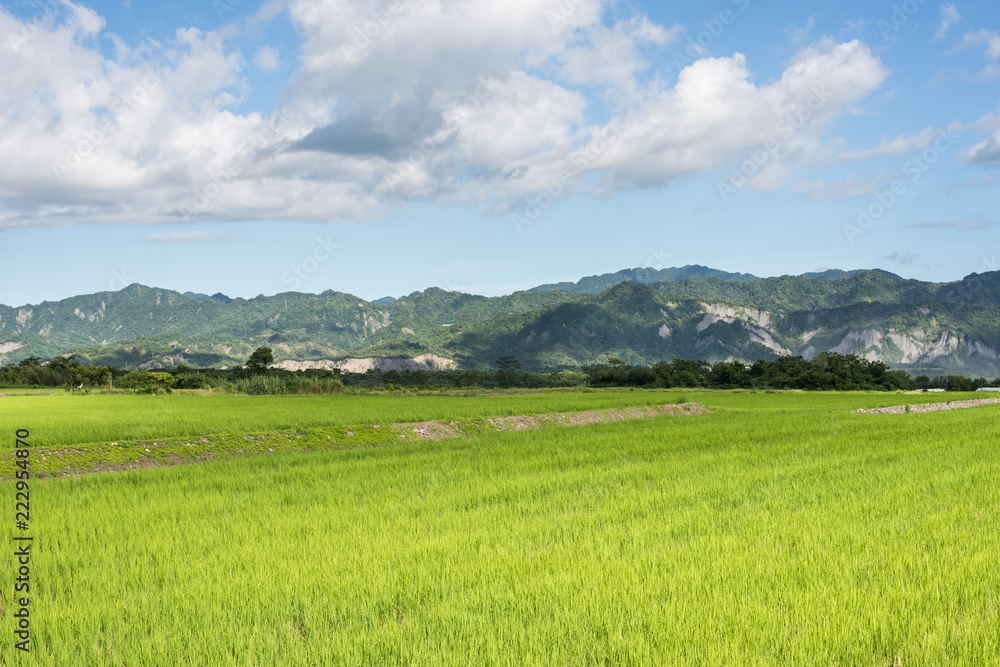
x: 827, y: 371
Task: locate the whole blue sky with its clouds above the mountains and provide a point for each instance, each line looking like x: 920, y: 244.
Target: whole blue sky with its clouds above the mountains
x: 379, y: 148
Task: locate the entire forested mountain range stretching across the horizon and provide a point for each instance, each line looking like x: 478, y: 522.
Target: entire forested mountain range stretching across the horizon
x: 639, y: 315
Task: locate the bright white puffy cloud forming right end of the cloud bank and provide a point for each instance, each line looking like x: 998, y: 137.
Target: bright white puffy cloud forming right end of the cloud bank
x: 714, y: 114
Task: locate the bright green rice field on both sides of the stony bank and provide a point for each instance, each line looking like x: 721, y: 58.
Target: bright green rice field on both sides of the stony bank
x: 777, y: 529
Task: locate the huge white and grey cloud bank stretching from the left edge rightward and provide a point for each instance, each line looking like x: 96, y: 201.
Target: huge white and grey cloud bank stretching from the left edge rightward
x: 462, y: 101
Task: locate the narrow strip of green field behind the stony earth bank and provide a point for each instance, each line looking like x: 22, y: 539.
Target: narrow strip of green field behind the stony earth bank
x: 67, y: 419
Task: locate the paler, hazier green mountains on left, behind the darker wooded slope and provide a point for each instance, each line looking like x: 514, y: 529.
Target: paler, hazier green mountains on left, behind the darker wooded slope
x: 146, y: 325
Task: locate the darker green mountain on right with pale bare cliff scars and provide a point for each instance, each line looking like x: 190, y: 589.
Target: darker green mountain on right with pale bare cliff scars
x: 942, y: 333
